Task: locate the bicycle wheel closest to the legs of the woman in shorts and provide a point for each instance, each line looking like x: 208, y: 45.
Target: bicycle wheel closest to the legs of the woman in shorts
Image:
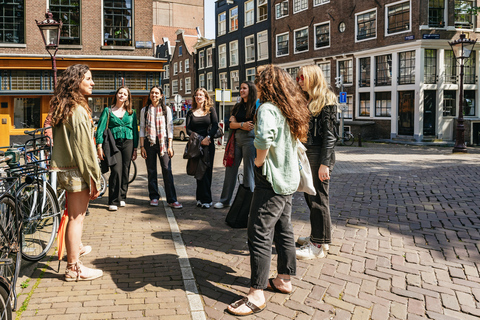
x: 40, y: 212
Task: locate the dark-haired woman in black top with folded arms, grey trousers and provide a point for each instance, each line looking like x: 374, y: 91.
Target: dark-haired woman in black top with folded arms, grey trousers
x: 241, y: 125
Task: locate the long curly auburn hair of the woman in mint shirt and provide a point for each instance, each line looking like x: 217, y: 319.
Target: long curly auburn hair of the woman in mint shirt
x: 275, y: 85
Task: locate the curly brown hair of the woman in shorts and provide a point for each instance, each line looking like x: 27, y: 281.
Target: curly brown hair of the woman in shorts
x: 67, y: 95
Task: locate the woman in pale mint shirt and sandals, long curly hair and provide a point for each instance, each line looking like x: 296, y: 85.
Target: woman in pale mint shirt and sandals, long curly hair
x: 280, y: 121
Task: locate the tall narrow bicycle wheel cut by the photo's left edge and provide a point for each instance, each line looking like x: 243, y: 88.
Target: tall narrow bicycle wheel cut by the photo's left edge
x: 10, y: 257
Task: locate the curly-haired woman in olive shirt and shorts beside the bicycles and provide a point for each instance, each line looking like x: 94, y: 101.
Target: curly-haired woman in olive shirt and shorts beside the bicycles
x: 75, y: 159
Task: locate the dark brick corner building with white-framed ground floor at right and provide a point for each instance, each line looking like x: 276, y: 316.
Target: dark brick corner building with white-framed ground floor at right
x: 399, y: 73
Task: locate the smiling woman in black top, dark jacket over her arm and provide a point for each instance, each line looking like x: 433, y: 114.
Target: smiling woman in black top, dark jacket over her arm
x: 202, y: 119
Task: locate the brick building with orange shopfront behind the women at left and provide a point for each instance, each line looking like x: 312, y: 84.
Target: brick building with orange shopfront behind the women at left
x: 113, y: 37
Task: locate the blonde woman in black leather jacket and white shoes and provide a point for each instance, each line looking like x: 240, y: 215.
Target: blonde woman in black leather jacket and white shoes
x: 321, y: 155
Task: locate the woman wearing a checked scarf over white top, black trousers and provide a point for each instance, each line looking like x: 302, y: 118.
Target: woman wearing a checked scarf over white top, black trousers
x: 156, y: 139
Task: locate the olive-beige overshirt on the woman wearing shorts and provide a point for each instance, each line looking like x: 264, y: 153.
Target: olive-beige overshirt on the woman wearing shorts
x: 74, y: 147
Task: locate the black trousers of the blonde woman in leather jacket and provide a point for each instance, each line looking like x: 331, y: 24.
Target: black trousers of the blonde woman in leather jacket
x: 319, y: 204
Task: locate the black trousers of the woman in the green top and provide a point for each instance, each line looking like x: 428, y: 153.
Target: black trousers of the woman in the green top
x: 118, y: 181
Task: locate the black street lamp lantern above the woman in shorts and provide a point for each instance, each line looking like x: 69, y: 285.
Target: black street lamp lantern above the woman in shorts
x: 50, y: 30
